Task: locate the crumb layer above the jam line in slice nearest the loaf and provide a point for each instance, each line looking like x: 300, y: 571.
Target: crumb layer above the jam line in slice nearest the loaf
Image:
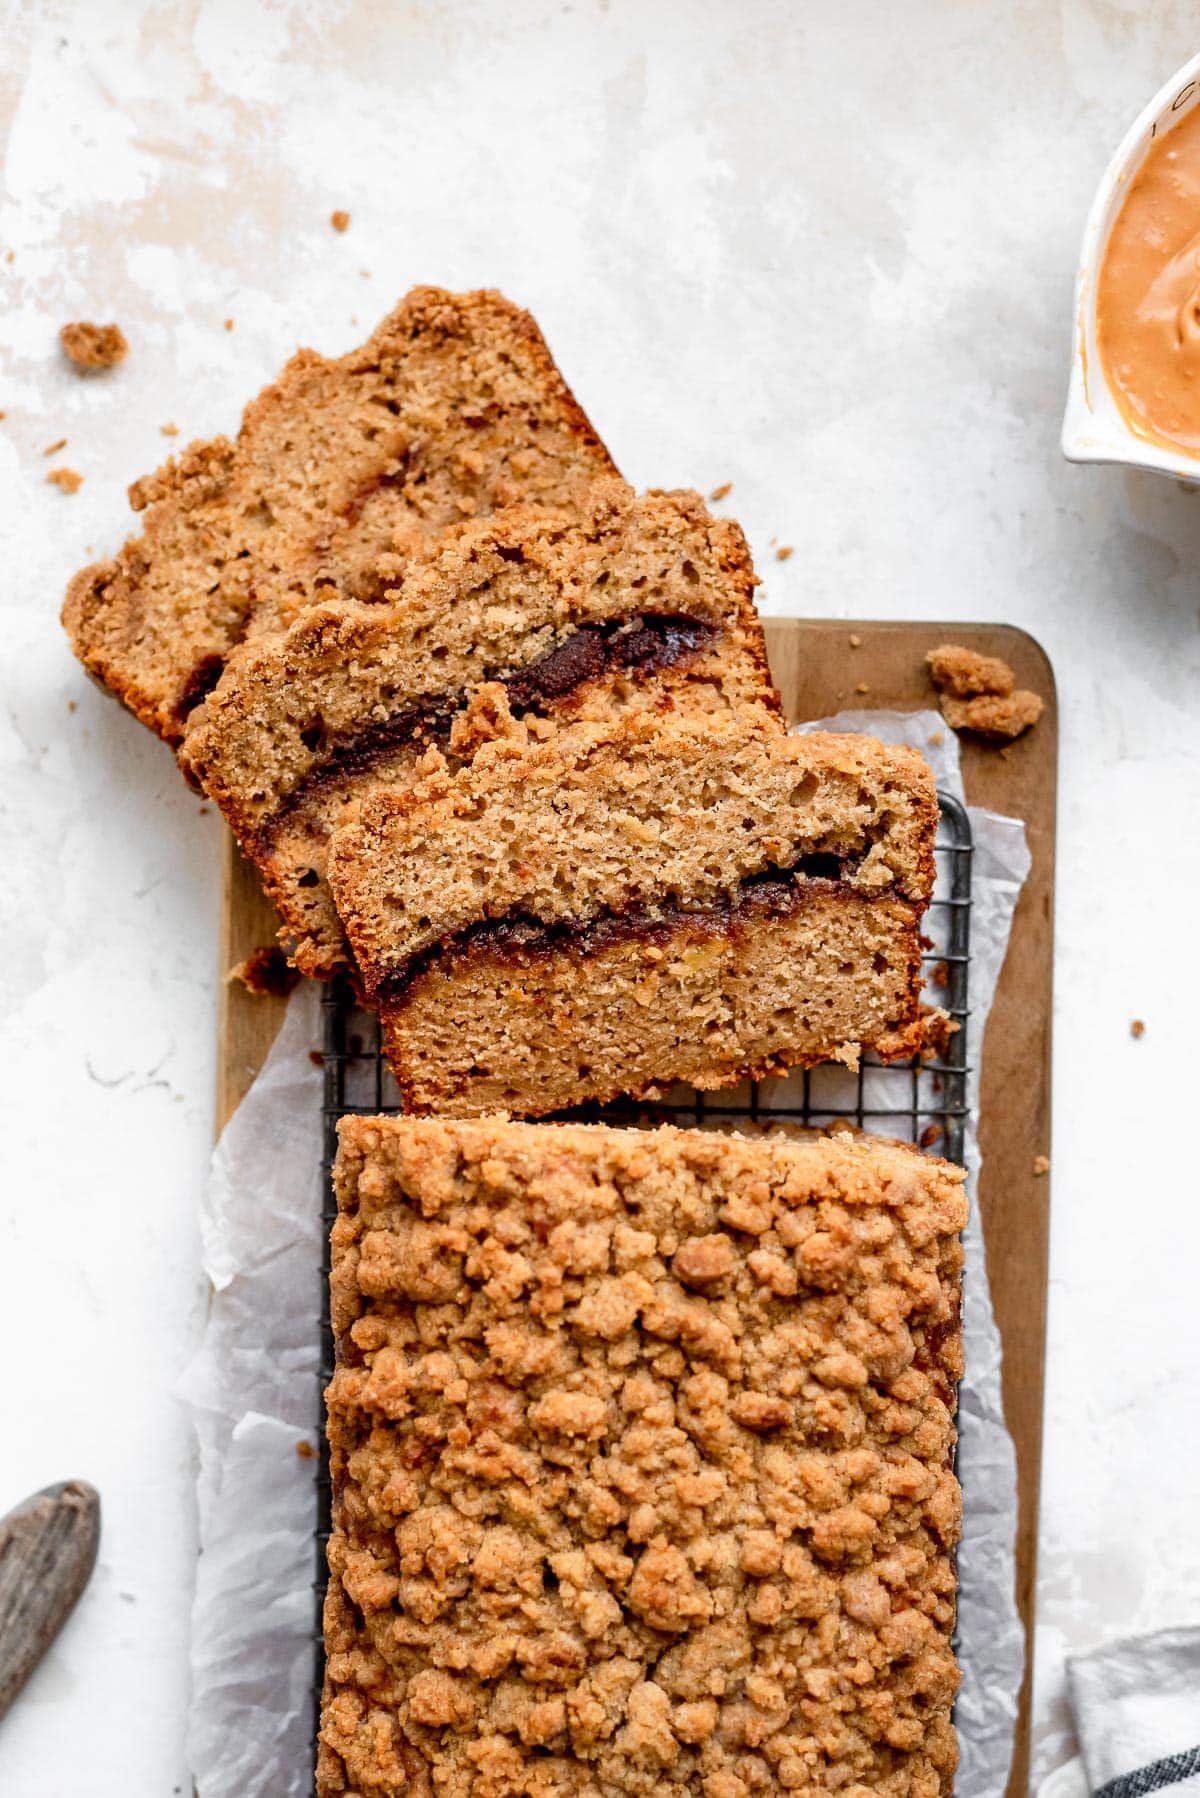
x: 602, y: 819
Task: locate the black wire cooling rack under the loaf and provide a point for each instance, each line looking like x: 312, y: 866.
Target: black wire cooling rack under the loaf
x: 917, y: 1101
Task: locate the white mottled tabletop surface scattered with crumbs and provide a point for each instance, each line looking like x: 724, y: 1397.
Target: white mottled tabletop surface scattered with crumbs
x: 823, y: 253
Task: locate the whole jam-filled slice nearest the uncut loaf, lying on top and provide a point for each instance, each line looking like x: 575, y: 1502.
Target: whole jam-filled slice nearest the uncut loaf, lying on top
x: 625, y: 905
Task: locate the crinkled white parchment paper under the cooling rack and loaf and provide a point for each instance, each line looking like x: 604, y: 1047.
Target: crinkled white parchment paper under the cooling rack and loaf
x: 253, y: 1393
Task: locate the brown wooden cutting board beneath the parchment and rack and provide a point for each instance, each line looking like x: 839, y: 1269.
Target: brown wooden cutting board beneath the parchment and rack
x: 821, y: 672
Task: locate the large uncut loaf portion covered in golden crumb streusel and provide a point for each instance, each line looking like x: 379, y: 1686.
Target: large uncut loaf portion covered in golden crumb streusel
x: 643, y: 1464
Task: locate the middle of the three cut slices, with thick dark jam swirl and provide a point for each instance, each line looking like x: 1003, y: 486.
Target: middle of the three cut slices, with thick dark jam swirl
x: 631, y: 603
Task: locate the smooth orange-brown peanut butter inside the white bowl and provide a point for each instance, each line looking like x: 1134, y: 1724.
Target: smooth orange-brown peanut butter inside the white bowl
x: 1149, y: 296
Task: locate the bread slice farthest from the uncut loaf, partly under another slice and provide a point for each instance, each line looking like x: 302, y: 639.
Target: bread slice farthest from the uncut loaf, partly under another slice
x: 341, y: 474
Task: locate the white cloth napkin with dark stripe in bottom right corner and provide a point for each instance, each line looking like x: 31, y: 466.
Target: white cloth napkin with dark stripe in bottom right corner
x: 1138, y: 1718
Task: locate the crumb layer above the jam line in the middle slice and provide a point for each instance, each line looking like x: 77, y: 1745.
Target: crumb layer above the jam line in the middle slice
x: 289, y: 704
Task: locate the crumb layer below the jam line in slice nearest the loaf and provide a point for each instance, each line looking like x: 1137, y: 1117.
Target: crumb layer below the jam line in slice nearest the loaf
x: 539, y: 1022
